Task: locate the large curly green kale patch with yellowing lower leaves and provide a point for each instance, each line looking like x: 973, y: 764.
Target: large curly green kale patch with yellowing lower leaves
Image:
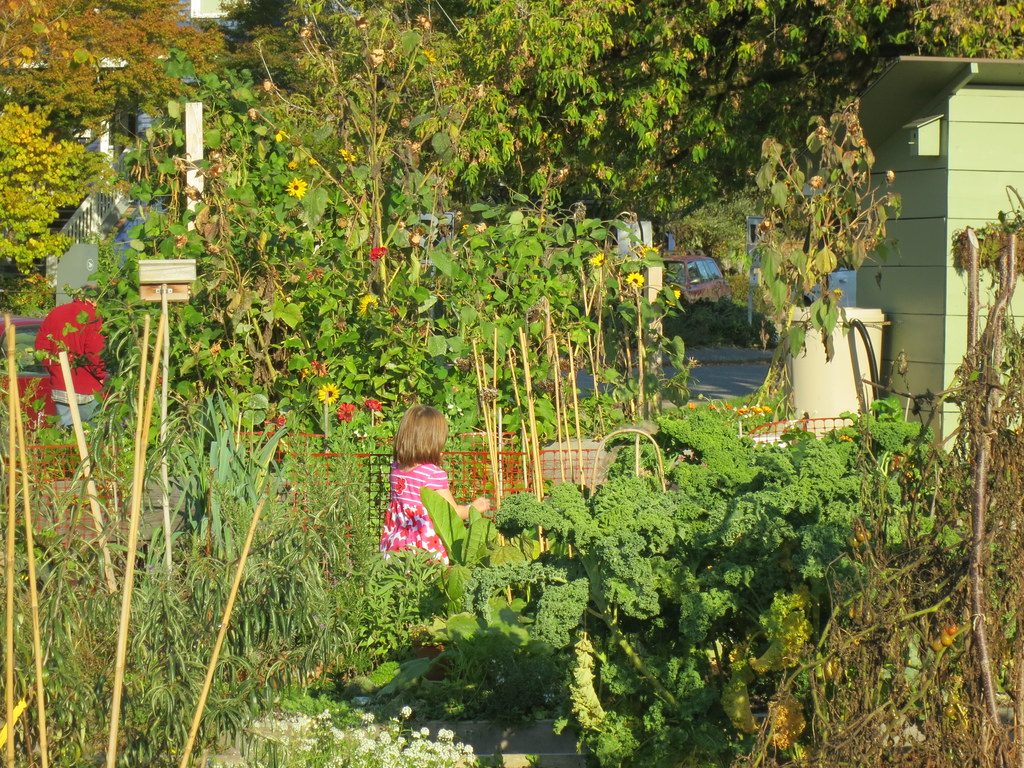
x: 690, y: 604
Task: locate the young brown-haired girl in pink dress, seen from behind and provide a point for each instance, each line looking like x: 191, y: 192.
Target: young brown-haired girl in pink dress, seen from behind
x: 418, y: 447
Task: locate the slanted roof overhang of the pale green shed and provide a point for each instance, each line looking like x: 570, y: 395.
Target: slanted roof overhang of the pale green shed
x: 912, y: 84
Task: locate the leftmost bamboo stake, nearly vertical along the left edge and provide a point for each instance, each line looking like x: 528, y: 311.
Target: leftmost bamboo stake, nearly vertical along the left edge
x: 10, y: 551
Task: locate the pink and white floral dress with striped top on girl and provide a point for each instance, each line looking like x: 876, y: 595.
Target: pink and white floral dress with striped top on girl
x: 407, y: 523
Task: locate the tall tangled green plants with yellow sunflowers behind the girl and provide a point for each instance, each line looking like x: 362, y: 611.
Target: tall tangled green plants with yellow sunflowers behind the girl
x: 371, y: 297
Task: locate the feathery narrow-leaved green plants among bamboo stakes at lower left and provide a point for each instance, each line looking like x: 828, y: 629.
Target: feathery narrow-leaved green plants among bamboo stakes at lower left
x: 286, y: 628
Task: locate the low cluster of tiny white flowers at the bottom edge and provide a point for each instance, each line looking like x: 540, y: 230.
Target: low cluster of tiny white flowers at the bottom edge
x: 317, y: 743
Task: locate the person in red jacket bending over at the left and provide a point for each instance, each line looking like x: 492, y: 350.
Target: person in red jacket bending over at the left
x: 74, y: 328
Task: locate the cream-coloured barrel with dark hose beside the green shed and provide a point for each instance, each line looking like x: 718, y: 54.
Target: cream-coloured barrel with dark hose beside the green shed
x: 823, y: 389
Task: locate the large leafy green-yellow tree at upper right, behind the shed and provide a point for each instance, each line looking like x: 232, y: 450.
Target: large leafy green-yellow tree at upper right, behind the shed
x: 662, y: 104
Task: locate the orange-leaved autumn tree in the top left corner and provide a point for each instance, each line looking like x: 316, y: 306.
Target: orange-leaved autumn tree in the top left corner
x: 88, y: 60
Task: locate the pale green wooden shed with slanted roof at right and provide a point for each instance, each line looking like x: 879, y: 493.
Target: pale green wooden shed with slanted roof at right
x: 953, y: 130
